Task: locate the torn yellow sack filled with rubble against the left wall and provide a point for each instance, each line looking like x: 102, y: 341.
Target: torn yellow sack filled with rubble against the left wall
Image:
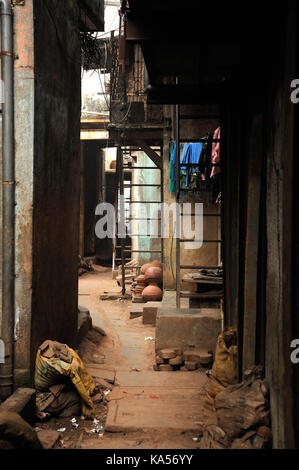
x: 55, y: 362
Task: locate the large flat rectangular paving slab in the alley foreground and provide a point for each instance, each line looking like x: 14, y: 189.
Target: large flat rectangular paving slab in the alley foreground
x: 156, y: 401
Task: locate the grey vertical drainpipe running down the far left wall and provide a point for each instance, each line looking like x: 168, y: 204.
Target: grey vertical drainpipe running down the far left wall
x: 8, y: 185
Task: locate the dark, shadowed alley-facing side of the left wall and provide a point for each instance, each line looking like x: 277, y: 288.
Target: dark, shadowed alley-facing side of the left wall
x: 56, y: 172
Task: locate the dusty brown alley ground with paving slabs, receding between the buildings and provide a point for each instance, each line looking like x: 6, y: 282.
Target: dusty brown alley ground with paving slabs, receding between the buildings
x: 146, y: 409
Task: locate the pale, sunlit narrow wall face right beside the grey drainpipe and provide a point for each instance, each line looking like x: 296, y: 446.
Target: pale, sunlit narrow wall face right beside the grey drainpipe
x: 24, y: 142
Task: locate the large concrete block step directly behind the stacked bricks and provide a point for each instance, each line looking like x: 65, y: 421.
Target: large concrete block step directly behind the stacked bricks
x: 187, y: 329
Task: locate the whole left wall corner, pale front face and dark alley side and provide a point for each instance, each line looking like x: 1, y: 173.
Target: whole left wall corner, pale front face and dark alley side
x: 47, y: 133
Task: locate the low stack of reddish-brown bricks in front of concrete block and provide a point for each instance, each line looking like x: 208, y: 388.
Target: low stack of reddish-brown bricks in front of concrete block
x: 176, y: 359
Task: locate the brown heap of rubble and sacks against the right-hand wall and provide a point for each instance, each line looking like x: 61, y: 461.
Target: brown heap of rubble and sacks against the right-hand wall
x: 236, y: 415
